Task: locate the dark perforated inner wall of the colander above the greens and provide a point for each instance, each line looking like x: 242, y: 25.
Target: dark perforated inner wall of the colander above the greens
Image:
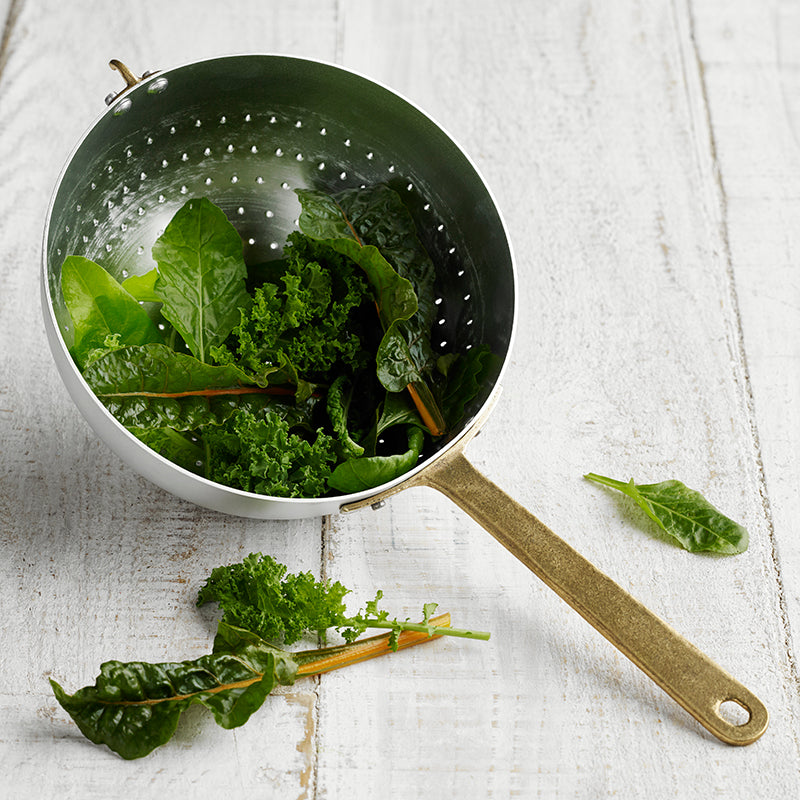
x: 244, y: 131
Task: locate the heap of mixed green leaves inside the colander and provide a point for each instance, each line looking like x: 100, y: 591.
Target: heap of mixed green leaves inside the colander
x: 300, y: 377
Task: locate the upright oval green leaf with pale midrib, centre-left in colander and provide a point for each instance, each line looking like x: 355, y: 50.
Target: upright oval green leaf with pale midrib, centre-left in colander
x: 201, y: 275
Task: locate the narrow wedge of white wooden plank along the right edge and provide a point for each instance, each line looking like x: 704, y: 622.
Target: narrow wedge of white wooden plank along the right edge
x: 751, y: 64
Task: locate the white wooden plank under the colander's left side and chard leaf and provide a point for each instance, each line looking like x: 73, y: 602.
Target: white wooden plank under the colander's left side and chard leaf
x: 98, y: 563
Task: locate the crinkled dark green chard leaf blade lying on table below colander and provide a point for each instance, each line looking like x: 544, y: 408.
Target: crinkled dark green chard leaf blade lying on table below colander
x: 134, y: 707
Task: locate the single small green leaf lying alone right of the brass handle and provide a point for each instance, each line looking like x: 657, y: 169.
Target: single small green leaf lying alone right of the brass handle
x: 684, y: 514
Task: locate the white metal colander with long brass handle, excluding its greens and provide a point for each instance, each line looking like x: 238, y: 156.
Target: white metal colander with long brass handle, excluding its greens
x: 245, y: 131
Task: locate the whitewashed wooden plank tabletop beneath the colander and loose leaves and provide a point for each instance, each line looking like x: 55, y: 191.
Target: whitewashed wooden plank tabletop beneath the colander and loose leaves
x: 646, y: 157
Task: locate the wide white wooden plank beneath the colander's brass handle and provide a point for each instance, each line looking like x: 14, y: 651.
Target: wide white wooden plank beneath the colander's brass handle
x: 627, y: 362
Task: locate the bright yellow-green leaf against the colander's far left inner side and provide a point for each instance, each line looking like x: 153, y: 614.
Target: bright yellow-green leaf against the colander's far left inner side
x: 100, y: 307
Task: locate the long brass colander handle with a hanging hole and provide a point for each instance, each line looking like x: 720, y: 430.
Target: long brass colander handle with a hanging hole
x: 677, y: 666
